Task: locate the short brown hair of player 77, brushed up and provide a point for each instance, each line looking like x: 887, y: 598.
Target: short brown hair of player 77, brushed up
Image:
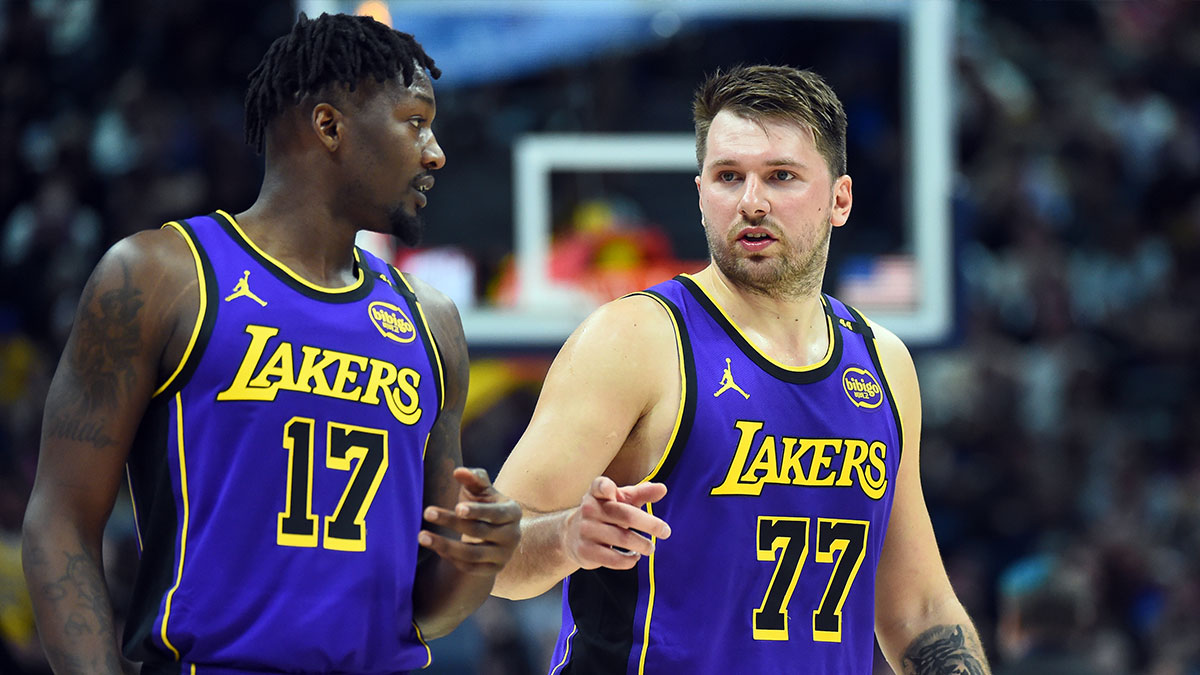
x: 783, y: 93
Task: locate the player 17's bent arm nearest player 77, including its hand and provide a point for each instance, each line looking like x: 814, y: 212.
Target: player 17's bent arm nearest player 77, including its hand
x: 476, y: 529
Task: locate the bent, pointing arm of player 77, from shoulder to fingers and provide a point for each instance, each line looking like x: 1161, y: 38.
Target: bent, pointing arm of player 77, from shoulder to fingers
x: 598, y: 429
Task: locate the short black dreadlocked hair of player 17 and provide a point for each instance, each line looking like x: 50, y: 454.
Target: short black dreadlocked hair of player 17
x: 334, y: 50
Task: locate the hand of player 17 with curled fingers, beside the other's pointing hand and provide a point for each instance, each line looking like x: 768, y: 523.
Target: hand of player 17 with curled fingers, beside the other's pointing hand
x: 488, y: 523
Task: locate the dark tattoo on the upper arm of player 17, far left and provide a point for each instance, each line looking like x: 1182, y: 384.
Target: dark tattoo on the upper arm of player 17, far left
x: 104, y: 359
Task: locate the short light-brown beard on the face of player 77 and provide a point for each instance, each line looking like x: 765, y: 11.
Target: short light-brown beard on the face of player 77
x: 795, y: 274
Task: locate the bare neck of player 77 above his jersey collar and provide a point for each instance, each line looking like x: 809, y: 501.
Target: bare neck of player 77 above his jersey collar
x: 793, y: 331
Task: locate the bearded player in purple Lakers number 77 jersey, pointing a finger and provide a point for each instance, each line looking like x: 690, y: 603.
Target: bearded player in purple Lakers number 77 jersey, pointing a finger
x: 725, y: 468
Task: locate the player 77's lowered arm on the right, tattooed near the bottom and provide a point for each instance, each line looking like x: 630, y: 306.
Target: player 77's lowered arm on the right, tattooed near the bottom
x: 920, y: 623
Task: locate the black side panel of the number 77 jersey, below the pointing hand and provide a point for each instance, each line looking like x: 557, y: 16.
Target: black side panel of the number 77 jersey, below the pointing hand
x: 604, y: 605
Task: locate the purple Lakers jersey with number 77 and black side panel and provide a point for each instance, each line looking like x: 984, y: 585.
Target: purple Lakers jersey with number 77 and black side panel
x: 781, y: 485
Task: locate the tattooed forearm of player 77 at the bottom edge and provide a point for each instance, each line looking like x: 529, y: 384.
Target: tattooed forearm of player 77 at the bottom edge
x: 940, y: 642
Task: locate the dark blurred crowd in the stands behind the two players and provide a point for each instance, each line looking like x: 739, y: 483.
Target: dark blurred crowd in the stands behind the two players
x: 1061, y: 452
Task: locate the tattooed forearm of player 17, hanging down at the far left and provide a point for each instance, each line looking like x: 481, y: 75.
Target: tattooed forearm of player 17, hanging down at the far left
x: 71, y: 602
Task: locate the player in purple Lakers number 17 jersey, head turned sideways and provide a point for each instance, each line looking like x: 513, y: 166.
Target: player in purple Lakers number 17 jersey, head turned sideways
x: 287, y: 405
